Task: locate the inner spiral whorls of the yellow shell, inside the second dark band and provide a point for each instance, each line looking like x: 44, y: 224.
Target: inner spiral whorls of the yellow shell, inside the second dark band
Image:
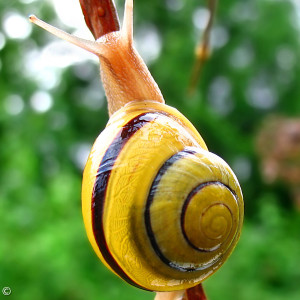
x: 205, y: 211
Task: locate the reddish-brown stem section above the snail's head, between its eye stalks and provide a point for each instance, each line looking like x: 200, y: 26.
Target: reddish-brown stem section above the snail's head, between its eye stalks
x: 100, y: 16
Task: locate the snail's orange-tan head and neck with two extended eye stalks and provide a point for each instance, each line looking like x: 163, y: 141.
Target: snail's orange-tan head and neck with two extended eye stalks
x: 124, y: 74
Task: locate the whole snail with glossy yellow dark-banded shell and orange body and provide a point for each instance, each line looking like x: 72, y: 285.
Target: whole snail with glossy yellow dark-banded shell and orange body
x: 160, y: 210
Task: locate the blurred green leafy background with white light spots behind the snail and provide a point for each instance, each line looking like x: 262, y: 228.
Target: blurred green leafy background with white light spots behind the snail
x: 52, y: 107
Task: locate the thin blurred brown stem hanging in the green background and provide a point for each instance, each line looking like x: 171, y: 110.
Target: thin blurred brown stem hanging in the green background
x: 202, y: 49
